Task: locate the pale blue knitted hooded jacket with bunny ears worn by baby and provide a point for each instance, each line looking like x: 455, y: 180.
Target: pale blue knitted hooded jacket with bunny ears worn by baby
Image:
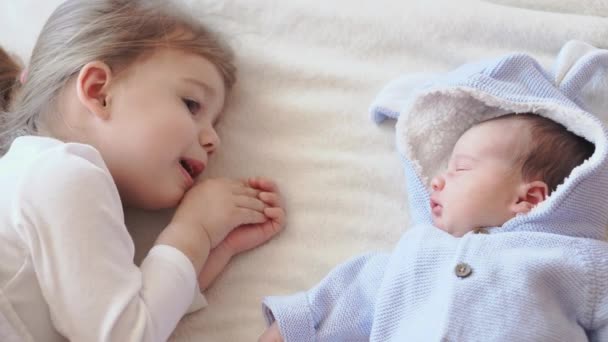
x: 539, y: 277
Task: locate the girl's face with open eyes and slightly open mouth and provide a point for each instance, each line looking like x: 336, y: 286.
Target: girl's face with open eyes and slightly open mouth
x: 161, y: 129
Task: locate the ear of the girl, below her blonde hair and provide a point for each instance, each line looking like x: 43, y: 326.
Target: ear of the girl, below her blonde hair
x: 92, y: 88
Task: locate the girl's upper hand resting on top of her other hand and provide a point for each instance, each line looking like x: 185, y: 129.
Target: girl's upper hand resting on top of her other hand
x: 217, y: 206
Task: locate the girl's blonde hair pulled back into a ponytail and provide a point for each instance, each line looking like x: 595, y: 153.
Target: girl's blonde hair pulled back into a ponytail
x: 116, y: 32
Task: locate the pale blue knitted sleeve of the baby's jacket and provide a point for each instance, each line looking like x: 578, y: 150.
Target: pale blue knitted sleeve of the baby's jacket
x: 339, y: 308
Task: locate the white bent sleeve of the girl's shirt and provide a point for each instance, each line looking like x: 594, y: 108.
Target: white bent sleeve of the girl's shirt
x: 73, y: 223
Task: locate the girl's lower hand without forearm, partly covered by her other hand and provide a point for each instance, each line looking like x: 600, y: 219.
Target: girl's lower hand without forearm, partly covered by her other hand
x: 253, y: 234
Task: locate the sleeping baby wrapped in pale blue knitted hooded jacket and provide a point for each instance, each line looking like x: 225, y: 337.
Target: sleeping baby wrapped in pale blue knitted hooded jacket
x: 507, y: 244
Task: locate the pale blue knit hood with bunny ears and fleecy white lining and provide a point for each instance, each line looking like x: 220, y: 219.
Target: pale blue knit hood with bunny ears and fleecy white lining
x: 433, y: 114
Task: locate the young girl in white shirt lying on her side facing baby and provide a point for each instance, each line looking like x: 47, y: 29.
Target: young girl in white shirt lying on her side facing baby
x: 117, y: 108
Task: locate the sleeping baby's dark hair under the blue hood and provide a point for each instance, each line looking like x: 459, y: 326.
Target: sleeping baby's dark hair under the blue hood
x: 554, y: 151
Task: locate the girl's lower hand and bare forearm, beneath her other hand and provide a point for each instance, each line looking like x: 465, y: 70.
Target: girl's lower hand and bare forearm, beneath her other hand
x: 247, y: 236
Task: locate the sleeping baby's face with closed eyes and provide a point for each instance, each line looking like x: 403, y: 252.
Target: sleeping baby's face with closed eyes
x: 481, y: 184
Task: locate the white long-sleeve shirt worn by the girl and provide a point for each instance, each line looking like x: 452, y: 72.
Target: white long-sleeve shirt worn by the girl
x: 67, y: 268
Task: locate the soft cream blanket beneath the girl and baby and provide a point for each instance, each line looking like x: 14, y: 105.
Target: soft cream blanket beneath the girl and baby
x: 308, y: 72
